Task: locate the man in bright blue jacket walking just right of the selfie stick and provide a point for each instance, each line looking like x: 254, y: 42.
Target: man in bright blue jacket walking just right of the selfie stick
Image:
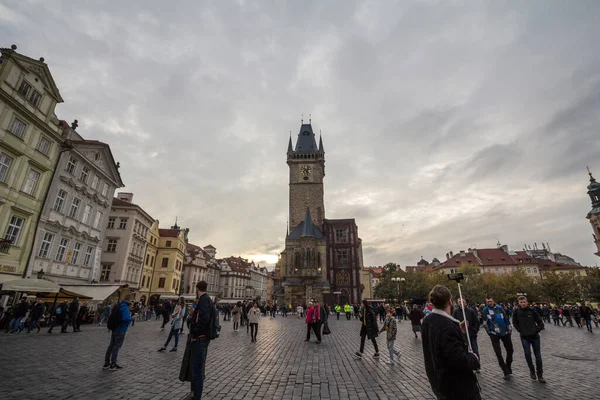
x: 499, y: 330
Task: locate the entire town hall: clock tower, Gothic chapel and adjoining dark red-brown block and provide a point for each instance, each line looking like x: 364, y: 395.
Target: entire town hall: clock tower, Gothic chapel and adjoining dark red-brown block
x: 322, y: 257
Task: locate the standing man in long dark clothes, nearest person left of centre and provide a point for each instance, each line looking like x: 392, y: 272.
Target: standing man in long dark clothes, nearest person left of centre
x: 203, y: 328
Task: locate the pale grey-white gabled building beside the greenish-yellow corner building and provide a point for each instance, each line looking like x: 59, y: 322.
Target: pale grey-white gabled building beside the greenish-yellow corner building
x: 70, y: 235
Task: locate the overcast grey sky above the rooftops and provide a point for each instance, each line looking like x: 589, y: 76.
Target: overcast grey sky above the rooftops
x: 446, y: 125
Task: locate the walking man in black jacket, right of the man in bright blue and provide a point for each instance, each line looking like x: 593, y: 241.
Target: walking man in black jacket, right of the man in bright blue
x: 529, y: 323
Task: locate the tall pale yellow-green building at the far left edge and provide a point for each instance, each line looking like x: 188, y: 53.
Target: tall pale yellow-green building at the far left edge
x: 31, y: 142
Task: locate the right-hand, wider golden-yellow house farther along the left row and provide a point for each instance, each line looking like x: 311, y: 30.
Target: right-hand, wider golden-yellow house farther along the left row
x: 170, y: 256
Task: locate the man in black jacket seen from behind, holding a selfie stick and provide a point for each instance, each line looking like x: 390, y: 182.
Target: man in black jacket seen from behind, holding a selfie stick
x: 448, y: 362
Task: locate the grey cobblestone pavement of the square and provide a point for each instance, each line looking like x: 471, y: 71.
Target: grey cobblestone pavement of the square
x: 279, y: 366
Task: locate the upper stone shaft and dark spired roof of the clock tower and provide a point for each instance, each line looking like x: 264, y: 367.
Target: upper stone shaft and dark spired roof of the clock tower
x: 307, y: 170
